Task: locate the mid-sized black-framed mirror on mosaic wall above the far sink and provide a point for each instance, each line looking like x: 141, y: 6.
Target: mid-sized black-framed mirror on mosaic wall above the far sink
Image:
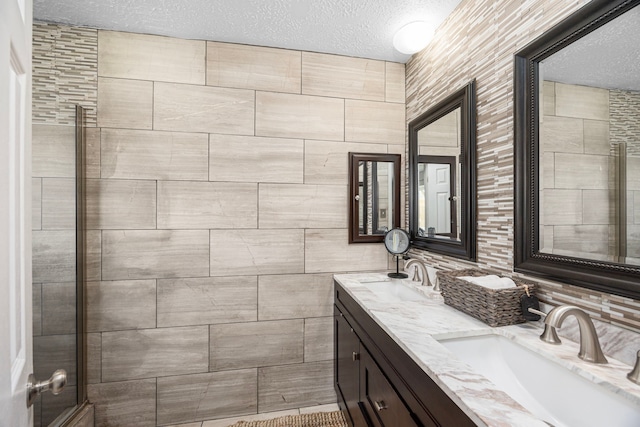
x: 442, y: 176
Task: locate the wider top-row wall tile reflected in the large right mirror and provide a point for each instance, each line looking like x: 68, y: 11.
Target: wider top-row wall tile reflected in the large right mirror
x: 582, y: 102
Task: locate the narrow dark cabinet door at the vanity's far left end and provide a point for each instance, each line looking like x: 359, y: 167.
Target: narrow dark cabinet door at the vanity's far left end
x: 347, y: 348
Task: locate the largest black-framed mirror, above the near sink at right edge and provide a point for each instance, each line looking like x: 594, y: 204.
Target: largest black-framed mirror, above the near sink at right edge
x: 577, y: 150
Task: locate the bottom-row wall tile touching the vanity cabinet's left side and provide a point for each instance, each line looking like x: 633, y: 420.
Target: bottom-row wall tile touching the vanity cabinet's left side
x: 294, y: 386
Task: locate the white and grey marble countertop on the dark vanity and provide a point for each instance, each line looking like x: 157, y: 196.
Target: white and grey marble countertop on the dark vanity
x: 418, y: 325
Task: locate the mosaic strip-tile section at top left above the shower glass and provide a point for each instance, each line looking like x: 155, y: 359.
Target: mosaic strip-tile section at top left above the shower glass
x: 65, y: 73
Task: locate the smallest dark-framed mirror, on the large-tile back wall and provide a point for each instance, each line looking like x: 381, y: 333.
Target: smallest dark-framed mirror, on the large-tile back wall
x: 374, y: 196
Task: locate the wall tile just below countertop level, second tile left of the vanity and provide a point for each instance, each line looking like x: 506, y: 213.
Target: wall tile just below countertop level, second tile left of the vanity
x: 210, y: 300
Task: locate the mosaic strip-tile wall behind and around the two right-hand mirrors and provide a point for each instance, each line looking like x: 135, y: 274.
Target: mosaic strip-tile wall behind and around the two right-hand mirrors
x: 478, y: 41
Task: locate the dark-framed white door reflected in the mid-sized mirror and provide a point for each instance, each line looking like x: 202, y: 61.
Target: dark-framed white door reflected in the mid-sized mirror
x: 437, y: 196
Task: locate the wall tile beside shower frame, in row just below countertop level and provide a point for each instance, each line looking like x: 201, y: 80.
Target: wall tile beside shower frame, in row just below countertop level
x: 120, y: 305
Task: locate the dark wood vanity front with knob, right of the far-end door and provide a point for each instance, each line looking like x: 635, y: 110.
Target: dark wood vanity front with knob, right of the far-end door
x: 380, y: 399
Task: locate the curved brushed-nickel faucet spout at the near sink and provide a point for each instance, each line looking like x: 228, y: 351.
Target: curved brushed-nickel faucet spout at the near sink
x: 590, y: 349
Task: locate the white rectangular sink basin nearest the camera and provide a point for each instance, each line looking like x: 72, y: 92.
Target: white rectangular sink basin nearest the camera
x: 548, y: 390
